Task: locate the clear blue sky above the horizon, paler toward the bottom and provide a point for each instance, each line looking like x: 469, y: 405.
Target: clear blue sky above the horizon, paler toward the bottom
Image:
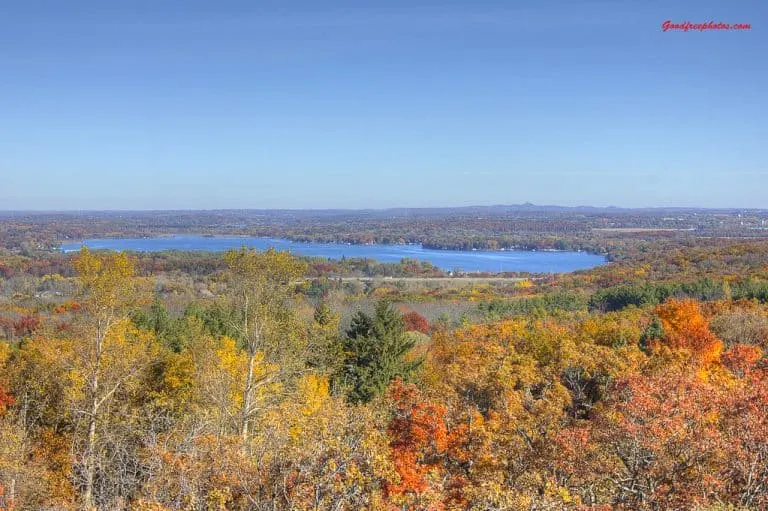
x: 153, y: 104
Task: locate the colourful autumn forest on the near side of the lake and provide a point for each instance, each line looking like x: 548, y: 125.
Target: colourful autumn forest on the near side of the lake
x: 261, y: 381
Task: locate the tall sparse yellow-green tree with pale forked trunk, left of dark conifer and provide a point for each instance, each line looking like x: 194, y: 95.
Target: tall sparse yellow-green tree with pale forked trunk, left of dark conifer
x: 261, y: 283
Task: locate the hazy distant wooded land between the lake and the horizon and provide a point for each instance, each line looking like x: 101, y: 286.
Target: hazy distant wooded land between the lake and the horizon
x: 524, y: 227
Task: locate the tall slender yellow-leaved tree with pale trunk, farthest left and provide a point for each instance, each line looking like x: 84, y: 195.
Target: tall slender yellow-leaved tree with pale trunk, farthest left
x: 106, y: 351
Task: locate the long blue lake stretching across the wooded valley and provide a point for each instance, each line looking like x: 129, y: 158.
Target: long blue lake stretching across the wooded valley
x: 488, y: 261
